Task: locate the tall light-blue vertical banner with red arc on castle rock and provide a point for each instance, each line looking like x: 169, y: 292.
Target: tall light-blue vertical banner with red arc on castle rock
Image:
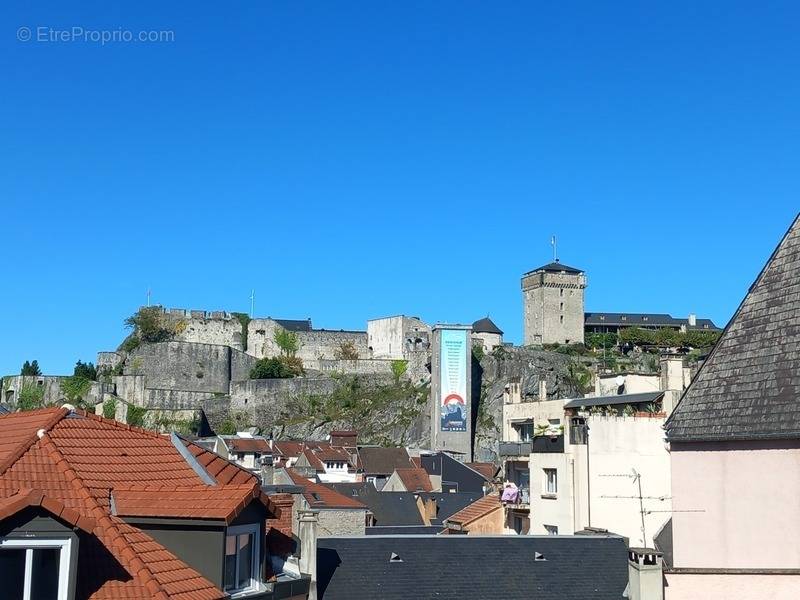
x: 453, y: 380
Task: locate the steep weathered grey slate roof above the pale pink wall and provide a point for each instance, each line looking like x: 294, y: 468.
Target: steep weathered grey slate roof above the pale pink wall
x: 749, y: 387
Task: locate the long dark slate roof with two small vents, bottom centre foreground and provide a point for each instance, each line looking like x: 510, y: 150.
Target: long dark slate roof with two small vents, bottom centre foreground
x: 467, y: 567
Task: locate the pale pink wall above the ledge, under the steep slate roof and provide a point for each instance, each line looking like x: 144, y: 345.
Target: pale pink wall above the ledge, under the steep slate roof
x: 747, y: 494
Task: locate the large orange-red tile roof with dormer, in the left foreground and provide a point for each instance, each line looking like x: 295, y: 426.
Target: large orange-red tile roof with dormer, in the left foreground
x: 76, y: 461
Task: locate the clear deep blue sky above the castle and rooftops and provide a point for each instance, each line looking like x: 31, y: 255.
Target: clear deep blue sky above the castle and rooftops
x: 356, y: 159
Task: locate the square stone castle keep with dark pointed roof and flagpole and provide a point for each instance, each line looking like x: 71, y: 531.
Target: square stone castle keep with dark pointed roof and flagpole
x: 552, y: 298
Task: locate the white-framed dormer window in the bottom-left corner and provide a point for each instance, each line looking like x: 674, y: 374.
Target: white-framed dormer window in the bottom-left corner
x: 35, y: 568
